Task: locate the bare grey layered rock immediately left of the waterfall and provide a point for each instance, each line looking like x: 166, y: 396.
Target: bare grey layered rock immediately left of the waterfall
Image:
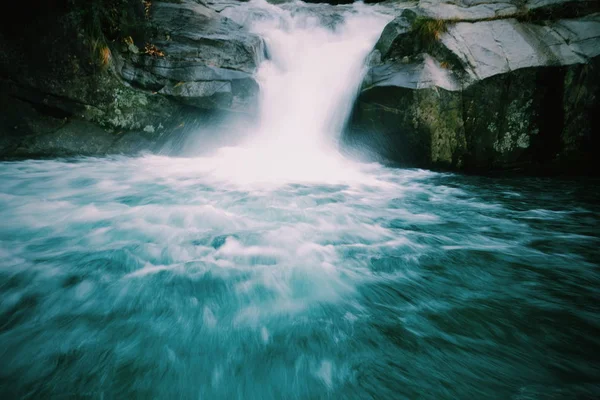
x: 209, y: 59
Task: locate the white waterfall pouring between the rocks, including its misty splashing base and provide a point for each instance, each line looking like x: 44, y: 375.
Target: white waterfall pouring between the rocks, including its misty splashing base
x: 308, y: 84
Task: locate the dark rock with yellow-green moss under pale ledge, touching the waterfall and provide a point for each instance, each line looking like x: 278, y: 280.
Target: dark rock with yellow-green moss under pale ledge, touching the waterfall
x: 411, y: 127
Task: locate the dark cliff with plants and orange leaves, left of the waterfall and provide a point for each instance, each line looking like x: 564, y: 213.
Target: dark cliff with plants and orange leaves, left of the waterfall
x: 118, y: 76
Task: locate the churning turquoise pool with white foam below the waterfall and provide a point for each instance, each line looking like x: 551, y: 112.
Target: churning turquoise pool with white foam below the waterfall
x: 149, y: 278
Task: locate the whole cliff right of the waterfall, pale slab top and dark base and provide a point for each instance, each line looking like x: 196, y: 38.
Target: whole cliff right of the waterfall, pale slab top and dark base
x: 481, y: 85
